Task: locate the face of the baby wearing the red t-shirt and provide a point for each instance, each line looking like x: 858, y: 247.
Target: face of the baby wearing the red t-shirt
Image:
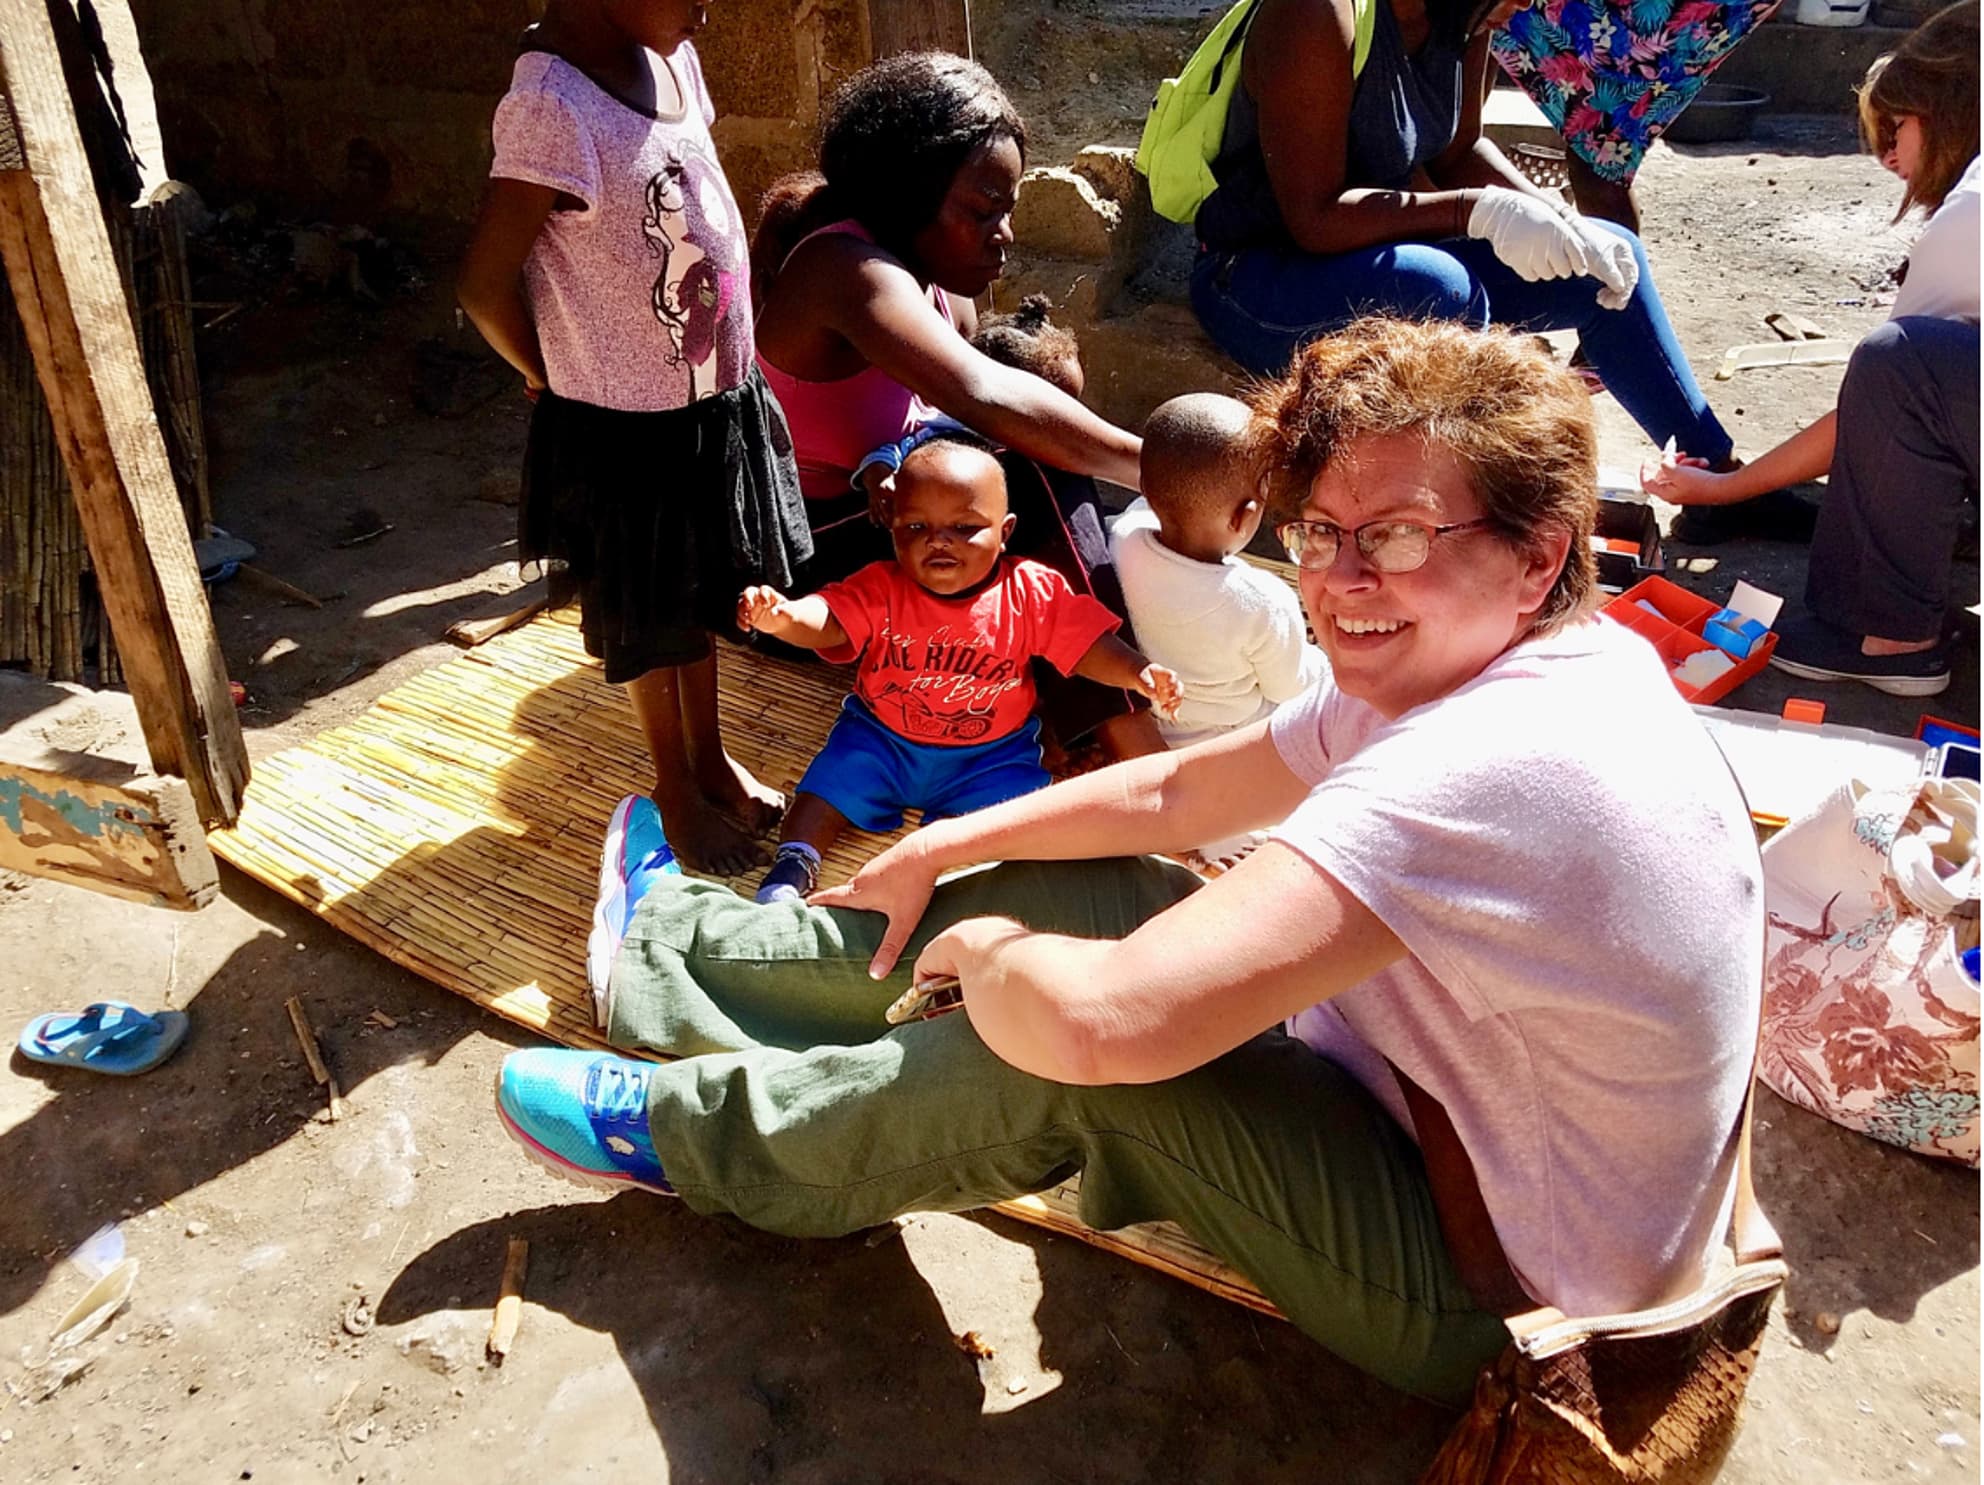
x: 949, y: 517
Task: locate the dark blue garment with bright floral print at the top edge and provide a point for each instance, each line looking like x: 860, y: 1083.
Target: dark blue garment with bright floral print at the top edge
x: 1612, y: 76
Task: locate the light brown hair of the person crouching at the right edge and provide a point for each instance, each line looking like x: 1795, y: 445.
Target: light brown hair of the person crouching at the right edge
x: 1931, y: 76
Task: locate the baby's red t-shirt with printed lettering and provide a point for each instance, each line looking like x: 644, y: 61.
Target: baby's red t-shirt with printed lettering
x: 953, y: 672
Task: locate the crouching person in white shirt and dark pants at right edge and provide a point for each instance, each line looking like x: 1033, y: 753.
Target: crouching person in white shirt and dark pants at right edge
x: 1904, y: 442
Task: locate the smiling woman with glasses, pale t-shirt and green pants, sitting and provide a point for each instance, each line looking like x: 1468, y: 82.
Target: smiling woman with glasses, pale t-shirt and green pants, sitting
x: 1465, y: 1035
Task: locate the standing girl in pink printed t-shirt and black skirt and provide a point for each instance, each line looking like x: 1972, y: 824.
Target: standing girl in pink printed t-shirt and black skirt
x: 610, y: 267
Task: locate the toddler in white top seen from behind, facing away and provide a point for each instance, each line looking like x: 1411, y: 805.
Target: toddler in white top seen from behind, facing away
x: 1233, y: 632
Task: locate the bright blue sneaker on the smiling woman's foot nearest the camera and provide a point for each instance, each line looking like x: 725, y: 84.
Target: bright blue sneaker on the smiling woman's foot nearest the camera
x: 582, y: 1117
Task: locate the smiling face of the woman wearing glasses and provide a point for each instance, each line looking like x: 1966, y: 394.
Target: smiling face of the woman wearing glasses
x: 1400, y: 640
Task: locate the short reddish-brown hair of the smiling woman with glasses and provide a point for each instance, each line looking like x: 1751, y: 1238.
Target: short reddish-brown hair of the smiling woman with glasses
x: 1517, y: 424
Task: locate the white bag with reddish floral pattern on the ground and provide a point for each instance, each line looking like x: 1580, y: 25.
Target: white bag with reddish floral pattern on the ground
x: 1870, y: 1015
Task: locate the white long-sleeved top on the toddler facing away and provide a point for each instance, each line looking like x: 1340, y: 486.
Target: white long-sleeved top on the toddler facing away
x: 1233, y: 632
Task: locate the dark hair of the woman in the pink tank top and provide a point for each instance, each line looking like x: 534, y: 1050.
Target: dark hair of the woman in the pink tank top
x: 894, y: 140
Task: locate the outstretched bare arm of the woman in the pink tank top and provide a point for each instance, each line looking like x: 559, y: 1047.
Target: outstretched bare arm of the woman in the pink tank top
x: 882, y: 311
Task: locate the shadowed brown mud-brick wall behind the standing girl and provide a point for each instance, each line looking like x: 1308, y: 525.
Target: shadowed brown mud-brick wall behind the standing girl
x: 378, y: 112
